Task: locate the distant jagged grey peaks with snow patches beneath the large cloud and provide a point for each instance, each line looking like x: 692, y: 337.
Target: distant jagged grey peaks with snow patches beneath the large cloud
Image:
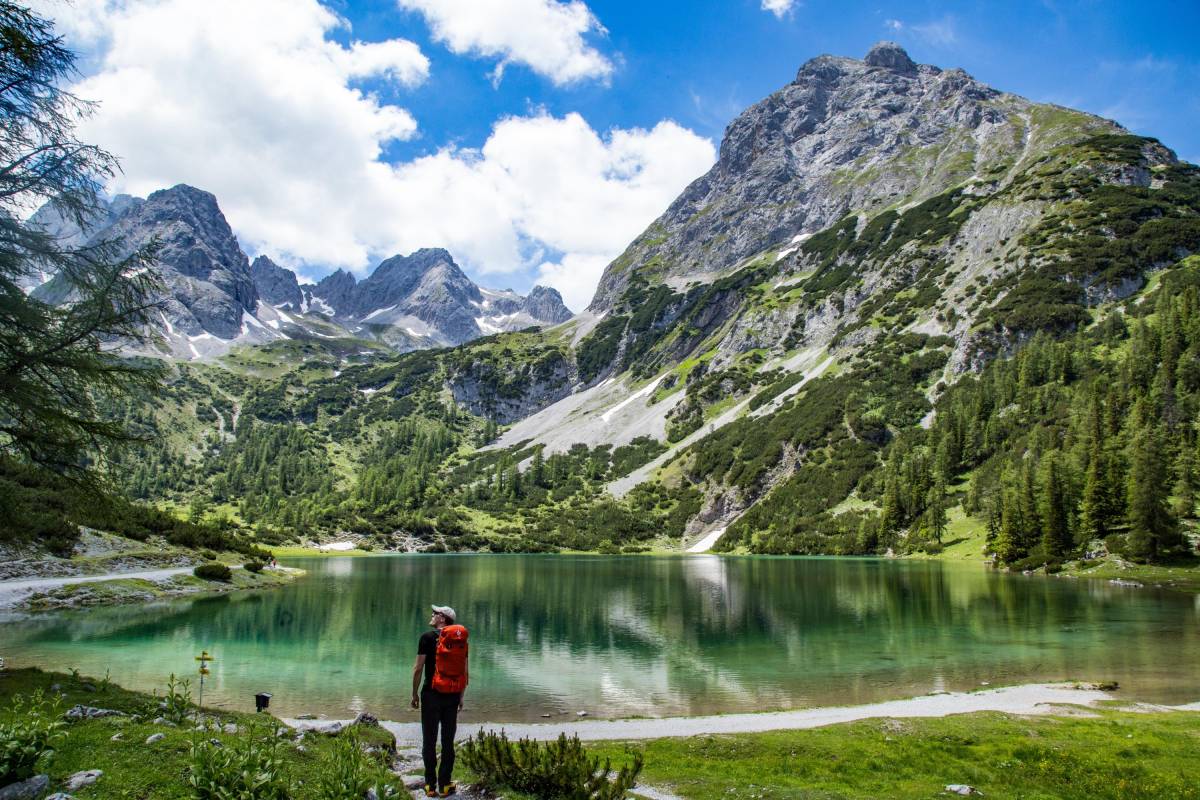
x: 214, y: 298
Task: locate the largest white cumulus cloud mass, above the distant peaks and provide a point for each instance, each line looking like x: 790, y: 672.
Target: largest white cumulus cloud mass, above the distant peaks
x: 254, y: 103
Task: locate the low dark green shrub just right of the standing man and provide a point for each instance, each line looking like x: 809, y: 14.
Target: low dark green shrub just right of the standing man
x: 550, y: 771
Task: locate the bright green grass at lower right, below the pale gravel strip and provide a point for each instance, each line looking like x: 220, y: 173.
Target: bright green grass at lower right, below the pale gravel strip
x: 1117, y: 755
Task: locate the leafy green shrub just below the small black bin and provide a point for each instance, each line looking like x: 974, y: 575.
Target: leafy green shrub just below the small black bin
x: 250, y: 769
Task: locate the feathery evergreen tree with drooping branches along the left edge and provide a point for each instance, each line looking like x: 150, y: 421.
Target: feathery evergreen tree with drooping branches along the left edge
x: 56, y: 375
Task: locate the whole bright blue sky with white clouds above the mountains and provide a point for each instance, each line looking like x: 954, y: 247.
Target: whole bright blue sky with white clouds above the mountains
x: 536, y: 139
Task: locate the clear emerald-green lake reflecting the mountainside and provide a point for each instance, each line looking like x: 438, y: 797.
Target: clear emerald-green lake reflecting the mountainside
x: 635, y: 636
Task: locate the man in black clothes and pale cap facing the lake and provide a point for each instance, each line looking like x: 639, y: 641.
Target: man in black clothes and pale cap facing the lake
x: 439, y: 709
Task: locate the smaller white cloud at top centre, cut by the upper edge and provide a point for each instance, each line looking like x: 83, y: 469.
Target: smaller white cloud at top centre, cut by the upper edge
x: 548, y: 37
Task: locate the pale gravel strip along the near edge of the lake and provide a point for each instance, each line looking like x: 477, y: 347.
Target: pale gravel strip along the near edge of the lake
x: 1027, y: 700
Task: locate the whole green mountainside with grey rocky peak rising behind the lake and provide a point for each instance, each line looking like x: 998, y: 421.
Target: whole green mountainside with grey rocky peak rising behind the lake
x: 999, y: 321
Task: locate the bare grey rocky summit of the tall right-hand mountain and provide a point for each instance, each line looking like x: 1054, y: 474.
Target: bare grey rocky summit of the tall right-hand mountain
x: 847, y: 136
